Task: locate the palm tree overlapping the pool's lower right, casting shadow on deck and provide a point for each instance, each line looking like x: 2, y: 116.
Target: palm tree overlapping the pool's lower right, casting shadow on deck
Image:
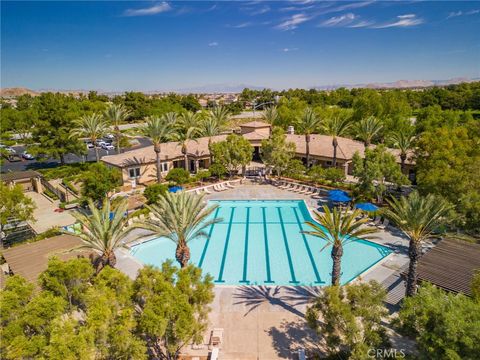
x: 338, y: 228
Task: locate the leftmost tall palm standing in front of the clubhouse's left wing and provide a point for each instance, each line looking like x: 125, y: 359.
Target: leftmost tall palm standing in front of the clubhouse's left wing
x: 157, y: 130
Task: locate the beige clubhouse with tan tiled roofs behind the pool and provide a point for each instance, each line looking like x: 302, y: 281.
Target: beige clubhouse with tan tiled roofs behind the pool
x: 139, y: 166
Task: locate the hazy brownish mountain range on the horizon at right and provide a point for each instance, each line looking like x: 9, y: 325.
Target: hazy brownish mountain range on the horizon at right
x: 400, y: 84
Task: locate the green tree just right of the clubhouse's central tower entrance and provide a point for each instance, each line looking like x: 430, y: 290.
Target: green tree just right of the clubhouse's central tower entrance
x: 276, y: 152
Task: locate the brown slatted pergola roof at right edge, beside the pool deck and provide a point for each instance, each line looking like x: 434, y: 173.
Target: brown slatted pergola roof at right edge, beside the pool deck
x: 450, y: 265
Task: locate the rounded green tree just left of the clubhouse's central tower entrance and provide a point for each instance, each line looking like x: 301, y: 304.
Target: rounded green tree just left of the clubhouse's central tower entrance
x: 234, y: 153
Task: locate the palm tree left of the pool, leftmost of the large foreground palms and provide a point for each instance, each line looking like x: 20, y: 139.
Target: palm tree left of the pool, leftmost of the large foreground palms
x: 103, y: 233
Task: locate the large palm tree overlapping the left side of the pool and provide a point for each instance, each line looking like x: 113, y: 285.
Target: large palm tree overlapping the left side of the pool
x: 180, y: 217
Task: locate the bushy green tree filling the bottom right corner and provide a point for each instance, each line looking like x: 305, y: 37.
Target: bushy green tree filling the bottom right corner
x: 445, y: 325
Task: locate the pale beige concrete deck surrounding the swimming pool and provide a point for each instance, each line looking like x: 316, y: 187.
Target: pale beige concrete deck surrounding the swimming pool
x: 261, y: 322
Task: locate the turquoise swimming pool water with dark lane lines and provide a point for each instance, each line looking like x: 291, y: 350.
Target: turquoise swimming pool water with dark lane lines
x: 260, y: 243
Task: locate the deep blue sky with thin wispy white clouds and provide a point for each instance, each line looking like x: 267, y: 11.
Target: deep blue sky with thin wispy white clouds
x: 178, y: 45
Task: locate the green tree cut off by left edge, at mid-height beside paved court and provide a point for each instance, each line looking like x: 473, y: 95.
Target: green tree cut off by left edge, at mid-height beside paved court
x: 14, y: 206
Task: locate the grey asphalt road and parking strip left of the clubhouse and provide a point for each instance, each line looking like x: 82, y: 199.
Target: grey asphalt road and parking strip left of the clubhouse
x: 23, y: 165
